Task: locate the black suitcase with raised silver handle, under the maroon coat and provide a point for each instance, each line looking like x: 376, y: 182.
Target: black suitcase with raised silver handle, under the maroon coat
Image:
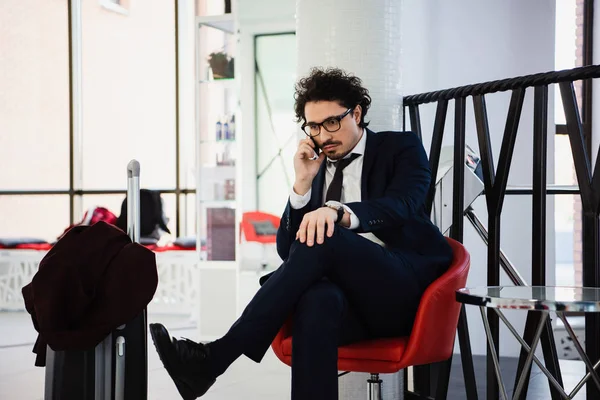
x: 117, y: 368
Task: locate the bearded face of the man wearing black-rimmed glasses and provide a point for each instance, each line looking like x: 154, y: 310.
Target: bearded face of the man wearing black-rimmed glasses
x: 338, y: 144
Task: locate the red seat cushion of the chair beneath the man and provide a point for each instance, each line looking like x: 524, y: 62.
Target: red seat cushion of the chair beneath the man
x: 372, y: 356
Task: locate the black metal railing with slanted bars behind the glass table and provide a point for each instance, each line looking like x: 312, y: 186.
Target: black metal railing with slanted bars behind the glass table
x: 495, y: 183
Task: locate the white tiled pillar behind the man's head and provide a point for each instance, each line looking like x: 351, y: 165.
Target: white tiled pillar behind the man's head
x: 361, y: 37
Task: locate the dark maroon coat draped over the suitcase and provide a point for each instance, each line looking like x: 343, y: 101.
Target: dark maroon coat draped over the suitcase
x: 93, y: 280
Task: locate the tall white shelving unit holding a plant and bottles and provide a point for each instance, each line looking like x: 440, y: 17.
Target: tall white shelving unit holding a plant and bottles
x: 218, y: 176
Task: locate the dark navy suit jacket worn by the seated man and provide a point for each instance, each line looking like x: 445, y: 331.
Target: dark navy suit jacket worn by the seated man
x: 394, y: 187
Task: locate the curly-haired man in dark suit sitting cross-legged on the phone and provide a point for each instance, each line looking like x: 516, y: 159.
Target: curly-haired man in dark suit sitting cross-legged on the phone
x: 358, y: 248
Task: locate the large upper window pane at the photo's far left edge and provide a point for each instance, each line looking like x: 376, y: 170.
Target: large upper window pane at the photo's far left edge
x: 34, y: 100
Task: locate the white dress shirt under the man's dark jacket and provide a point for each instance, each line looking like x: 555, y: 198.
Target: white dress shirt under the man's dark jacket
x: 351, y: 191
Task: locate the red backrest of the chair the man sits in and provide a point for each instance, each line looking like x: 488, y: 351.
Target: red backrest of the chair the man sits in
x: 434, y: 329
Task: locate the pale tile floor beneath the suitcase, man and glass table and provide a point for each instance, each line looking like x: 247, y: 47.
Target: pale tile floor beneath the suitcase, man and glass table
x: 20, y: 380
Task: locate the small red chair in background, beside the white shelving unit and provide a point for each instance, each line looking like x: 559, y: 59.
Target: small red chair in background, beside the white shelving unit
x: 260, y: 227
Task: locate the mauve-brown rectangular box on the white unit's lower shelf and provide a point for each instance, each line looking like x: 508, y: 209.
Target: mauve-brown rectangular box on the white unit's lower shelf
x: 220, y: 243
